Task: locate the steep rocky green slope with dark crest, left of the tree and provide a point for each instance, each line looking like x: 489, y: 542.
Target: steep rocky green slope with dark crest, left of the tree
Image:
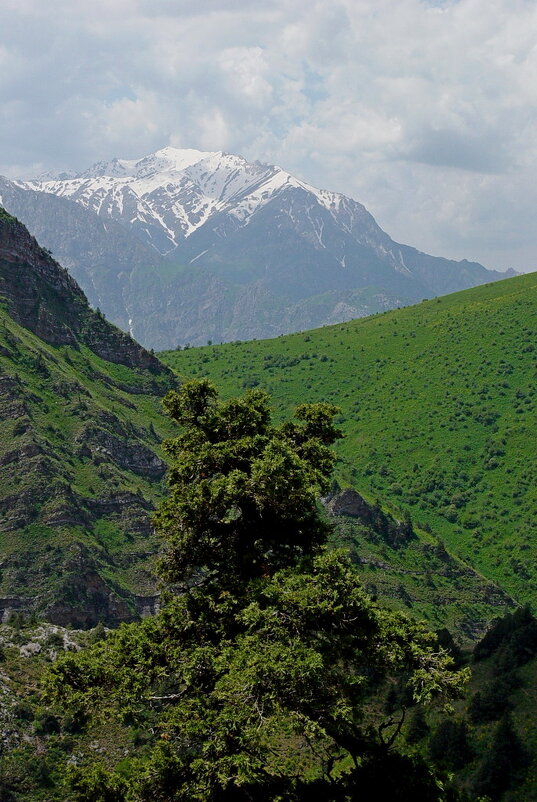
x: 80, y: 463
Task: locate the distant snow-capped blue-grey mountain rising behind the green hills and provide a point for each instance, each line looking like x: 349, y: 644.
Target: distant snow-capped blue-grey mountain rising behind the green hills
x: 185, y: 246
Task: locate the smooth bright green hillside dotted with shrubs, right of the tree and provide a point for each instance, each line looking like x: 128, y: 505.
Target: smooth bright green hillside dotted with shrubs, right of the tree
x: 437, y: 407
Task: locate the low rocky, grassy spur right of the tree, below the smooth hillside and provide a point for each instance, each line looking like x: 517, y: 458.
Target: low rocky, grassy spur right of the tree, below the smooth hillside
x: 411, y: 570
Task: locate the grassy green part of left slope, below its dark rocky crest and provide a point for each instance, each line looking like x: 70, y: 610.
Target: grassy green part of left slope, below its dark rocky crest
x: 63, y: 545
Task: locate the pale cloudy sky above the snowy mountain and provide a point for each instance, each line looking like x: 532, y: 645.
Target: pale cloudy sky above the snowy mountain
x: 423, y: 110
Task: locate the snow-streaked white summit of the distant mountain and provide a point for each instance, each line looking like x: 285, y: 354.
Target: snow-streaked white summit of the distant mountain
x: 169, y: 194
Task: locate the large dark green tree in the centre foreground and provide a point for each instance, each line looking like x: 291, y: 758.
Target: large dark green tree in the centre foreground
x: 257, y: 669
